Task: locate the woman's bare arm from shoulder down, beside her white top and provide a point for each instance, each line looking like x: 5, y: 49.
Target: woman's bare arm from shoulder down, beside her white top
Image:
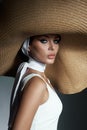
x: 32, y: 97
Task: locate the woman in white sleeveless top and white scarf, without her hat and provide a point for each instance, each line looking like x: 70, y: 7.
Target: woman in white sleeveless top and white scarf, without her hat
x: 35, y: 104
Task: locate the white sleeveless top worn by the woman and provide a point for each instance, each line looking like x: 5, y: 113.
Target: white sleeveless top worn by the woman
x: 47, y: 115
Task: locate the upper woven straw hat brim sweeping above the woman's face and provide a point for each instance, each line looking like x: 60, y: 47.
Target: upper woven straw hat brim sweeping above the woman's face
x: 47, y: 16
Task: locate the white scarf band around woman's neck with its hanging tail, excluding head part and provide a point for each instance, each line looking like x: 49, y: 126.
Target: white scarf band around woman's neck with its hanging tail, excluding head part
x: 33, y: 64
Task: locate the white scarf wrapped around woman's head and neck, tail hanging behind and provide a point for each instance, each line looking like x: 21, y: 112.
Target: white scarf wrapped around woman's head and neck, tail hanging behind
x: 32, y: 63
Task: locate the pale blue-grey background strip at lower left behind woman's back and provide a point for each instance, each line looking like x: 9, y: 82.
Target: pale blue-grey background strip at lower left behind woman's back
x: 6, y: 84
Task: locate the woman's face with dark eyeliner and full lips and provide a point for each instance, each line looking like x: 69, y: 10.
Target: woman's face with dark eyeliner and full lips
x: 44, y: 48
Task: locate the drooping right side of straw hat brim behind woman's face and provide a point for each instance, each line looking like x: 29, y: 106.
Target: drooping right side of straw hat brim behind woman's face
x: 69, y: 72
